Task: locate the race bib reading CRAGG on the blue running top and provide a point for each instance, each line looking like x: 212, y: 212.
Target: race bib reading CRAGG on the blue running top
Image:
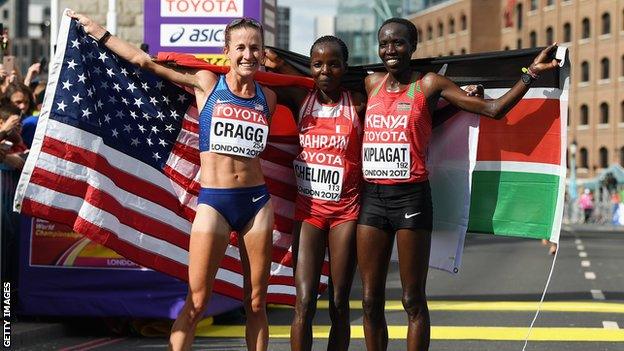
x: 238, y: 130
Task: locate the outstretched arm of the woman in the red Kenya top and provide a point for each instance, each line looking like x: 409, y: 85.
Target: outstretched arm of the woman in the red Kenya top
x: 440, y: 86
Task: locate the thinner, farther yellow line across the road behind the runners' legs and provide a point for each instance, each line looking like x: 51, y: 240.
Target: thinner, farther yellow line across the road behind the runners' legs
x: 499, y: 306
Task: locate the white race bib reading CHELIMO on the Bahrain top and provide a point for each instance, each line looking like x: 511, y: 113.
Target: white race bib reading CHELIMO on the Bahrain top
x: 318, y: 181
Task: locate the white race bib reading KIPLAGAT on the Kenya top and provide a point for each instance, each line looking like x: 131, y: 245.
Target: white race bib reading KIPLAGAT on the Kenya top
x: 386, y: 160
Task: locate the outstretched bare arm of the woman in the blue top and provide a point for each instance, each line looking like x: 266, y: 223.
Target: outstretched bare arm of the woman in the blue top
x: 139, y: 58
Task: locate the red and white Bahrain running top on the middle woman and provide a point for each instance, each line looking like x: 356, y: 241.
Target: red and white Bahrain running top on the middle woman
x: 328, y: 167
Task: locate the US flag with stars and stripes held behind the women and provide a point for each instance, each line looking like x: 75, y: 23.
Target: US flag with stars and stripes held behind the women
x: 116, y: 157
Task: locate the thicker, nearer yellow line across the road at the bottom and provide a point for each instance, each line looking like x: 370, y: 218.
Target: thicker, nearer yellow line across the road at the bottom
x: 439, y: 333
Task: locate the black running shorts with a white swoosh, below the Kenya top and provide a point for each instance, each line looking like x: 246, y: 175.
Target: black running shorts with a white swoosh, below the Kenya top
x: 394, y: 207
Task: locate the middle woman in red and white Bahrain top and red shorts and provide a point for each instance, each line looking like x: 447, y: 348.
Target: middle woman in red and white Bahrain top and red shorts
x: 328, y: 173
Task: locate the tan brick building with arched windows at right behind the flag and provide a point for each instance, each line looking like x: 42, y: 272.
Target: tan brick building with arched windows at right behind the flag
x: 592, y: 30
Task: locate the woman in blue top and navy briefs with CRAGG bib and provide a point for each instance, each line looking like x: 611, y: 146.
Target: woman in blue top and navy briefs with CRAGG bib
x: 233, y: 195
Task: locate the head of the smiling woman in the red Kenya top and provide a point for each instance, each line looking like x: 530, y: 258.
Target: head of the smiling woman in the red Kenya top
x: 395, y: 47
